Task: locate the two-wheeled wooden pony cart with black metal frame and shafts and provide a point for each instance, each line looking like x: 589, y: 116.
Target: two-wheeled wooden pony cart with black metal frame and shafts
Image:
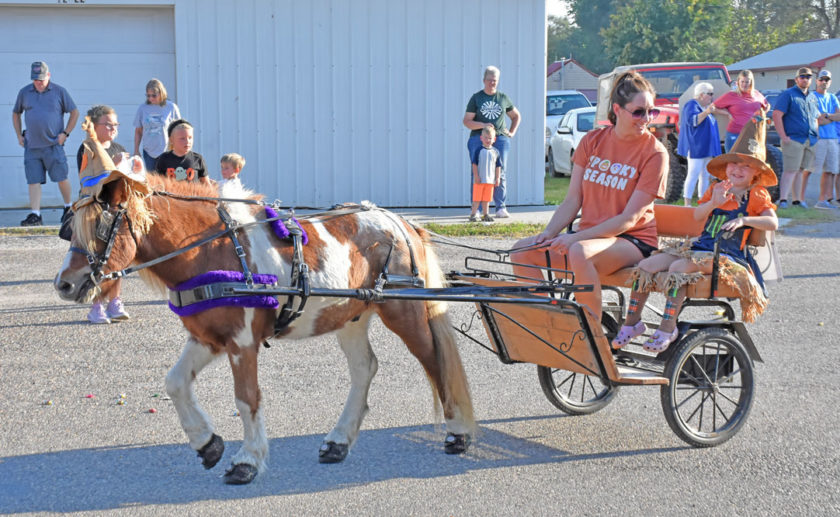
x: 706, y: 377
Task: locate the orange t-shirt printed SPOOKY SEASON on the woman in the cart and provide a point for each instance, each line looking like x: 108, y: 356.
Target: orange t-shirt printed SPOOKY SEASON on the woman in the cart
x: 612, y: 170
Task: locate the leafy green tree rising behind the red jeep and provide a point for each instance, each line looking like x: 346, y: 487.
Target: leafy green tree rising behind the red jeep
x: 668, y: 30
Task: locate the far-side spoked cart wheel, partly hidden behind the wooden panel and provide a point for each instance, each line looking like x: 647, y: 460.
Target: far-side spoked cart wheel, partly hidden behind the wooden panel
x: 578, y: 393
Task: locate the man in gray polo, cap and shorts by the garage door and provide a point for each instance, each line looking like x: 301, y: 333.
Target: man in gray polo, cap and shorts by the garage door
x: 45, y: 104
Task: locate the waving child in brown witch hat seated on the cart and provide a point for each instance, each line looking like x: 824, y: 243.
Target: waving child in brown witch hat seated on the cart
x: 735, y: 205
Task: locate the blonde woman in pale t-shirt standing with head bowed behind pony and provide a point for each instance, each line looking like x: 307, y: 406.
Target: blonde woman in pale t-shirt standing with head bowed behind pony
x: 151, y: 121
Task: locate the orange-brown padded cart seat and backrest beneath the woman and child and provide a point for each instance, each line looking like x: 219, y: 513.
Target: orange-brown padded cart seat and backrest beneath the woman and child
x: 678, y: 221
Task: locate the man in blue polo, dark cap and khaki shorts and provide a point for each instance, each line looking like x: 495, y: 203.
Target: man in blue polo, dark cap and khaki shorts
x: 795, y: 117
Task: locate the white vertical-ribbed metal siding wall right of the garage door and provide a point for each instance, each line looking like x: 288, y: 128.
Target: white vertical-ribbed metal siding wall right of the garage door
x: 333, y: 101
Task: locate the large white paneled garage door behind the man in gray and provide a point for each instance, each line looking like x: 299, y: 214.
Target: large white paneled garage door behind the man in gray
x: 101, y: 55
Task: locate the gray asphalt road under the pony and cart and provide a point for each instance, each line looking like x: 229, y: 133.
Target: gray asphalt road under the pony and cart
x: 77, y: 434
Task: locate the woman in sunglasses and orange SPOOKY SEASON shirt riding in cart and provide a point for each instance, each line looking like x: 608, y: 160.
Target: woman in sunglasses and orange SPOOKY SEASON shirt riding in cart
x: 618, y: 173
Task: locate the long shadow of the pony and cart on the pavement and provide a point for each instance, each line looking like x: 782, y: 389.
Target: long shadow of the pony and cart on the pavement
x: 137, y: 475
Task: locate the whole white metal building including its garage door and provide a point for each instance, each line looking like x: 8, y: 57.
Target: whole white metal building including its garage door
x: 328, y: 100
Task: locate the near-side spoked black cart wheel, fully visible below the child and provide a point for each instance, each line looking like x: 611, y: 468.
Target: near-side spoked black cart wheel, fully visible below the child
x: 711, y: 388
